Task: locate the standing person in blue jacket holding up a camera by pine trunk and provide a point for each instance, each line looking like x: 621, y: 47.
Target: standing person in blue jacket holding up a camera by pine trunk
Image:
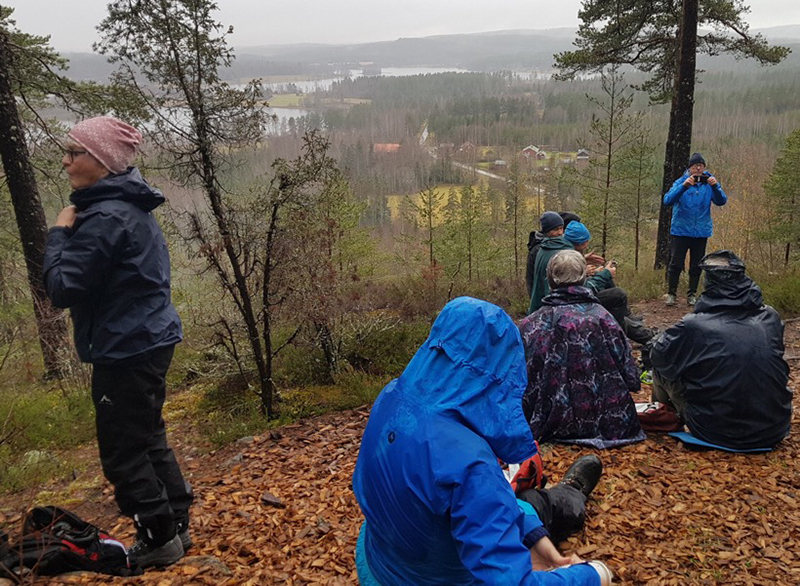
x: 691, y: 197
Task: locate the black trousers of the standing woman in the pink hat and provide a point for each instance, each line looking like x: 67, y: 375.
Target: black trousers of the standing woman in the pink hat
x: 148, y: 484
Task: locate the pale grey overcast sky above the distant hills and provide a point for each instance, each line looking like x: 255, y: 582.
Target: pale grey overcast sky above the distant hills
x: 71, y: 23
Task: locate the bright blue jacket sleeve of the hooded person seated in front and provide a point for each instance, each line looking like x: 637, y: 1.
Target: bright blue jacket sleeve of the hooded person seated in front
x: 488, y: 526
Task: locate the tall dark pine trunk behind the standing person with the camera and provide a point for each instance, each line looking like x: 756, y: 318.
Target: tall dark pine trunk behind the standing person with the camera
x: 679, y: 139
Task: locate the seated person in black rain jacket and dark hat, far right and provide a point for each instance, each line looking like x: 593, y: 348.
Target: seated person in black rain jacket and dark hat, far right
x: 722, y: 367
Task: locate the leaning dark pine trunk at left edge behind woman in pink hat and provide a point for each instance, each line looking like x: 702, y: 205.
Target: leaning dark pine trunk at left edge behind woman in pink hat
x: 31, y: 222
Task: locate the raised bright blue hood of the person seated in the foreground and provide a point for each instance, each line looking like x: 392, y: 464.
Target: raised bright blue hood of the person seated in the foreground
x: 472, y: 369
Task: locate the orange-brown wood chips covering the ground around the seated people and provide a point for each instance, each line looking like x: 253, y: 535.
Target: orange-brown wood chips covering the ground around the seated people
x: 280, y: 510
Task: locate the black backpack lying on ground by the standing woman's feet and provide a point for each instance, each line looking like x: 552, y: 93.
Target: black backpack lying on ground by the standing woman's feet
x: 56, y: 541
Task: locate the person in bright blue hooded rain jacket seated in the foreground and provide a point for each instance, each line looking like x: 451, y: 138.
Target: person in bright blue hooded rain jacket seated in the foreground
x: 438, y: 509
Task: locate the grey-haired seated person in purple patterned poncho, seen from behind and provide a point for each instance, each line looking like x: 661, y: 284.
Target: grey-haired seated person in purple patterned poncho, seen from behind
x: 580, y: 368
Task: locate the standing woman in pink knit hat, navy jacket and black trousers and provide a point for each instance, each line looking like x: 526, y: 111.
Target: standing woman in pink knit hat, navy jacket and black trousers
x: 107, y: 261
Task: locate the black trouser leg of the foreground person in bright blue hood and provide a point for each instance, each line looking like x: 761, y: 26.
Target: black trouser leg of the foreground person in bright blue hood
x: 562, y: 509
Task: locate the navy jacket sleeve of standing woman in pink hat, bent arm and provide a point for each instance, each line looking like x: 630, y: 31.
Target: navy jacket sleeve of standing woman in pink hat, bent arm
x: 78, y: 261
